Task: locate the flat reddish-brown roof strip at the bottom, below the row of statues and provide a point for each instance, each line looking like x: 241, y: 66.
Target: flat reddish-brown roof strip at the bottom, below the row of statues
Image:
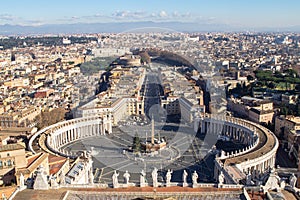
x: 126, y: 193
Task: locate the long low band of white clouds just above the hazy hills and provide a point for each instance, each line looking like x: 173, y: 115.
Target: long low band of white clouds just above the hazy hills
x: 117, y: 16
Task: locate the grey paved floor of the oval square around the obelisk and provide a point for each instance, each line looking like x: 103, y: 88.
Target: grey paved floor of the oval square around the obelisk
x: 184, y: 151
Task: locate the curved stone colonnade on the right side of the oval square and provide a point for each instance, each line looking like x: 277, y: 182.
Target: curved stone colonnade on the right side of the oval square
x: 256, y: 159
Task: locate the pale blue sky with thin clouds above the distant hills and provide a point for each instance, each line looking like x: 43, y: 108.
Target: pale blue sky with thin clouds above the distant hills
x: 245, y: 13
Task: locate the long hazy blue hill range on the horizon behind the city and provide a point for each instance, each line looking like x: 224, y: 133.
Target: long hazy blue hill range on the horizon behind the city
x: 146, y: 26
